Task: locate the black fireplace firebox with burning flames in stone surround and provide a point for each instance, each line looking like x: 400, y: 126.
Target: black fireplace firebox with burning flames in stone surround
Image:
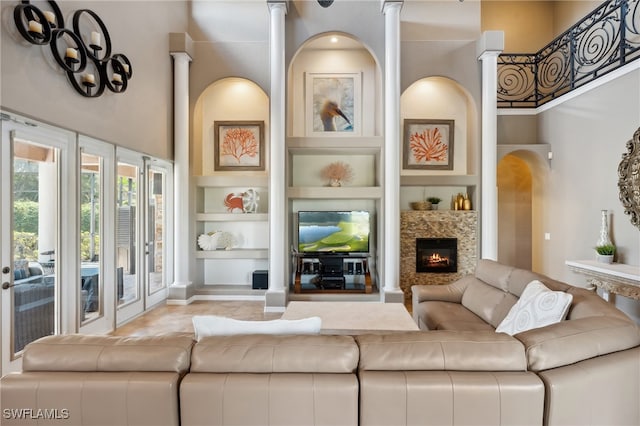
x: 436, y: 255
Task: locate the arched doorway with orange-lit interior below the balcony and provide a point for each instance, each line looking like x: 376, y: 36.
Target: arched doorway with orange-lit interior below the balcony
x: 522, y: 171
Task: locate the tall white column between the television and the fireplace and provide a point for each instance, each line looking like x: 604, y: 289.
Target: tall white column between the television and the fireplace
x: 391, y: 272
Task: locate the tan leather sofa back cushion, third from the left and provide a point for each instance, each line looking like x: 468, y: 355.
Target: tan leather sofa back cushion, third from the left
x: 440, y: 351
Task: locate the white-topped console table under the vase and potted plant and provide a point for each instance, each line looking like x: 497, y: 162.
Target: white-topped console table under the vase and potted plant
x: 616, y: 278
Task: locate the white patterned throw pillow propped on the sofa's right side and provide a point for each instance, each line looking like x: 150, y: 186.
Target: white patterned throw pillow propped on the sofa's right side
x: 538, y: 306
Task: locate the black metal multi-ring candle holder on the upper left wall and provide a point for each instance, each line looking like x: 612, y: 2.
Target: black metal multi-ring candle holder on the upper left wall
x: 84, y: 53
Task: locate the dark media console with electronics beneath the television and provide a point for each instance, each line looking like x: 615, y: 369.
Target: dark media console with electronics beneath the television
x: 332, y: 273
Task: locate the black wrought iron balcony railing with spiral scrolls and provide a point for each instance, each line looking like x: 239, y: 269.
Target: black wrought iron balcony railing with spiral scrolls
x: 605, y: 40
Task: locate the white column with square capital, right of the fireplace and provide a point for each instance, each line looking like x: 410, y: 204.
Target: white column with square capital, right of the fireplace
x: 489, y: 47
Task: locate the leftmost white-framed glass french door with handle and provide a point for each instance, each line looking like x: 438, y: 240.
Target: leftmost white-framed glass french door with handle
x: 36, y: 212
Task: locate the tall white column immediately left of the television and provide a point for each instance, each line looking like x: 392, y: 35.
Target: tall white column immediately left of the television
x: 275, y: 298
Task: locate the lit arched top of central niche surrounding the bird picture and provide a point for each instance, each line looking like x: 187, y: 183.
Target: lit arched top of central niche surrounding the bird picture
x: 340, y: 54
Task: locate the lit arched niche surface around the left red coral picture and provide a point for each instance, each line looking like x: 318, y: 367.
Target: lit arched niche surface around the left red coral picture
x: 228, y: 99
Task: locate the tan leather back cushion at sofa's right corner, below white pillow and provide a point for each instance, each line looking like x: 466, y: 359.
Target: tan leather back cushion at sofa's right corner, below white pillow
x: 570, y: 341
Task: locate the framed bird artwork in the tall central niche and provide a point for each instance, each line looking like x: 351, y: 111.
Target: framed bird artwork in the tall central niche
x: 333, y: 104
